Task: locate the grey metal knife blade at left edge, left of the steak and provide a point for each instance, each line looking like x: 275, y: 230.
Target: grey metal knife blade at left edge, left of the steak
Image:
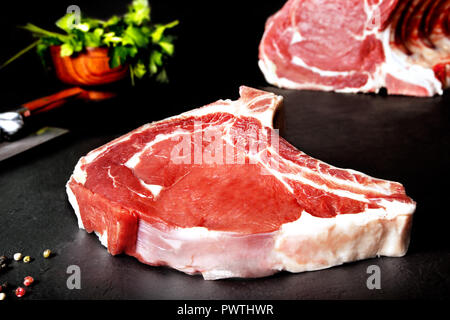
x: 9, y: 149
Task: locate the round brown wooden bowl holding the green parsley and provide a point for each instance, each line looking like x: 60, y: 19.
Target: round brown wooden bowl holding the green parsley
x: 89, y: 68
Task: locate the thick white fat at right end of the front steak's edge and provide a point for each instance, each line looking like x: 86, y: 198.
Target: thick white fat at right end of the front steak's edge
x: 367, y: 231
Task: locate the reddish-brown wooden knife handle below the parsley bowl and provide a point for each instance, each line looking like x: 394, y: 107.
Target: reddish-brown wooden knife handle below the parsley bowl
x: 49, y: 102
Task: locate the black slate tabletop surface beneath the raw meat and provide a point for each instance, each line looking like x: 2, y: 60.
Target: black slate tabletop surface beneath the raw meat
x: 397, y: 138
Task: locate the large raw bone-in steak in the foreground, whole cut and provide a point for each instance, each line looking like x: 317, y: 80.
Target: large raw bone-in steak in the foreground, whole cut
x: 216, y: 191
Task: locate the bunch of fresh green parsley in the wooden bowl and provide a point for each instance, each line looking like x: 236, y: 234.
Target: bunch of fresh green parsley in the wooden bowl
x: 131, y: 40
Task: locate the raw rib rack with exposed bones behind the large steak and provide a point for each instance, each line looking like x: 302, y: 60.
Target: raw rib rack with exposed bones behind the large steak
x: 359, y: 46
